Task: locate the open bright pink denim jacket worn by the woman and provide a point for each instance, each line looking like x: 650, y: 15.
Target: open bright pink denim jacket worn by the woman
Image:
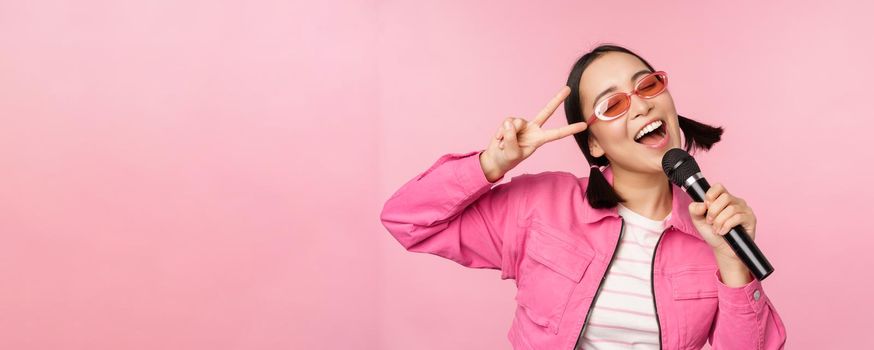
x: 540, y: 230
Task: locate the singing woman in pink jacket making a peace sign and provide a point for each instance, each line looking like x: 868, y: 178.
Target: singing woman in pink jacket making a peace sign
x: 621, y: 259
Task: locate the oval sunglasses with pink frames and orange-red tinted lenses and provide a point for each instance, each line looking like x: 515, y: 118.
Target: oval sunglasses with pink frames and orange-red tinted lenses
x: 614, y: 106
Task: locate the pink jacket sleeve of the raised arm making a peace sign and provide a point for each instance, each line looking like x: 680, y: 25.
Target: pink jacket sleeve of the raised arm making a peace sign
x: 452, y: 210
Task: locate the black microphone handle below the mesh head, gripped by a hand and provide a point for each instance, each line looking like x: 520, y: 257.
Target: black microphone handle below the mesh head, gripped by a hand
x: 737, y: 237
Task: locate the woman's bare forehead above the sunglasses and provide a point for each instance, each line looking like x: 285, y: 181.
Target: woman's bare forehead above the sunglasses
x: 611, y: 69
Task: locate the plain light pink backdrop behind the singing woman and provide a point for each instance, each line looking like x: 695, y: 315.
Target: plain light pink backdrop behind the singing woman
x: 209, y: 175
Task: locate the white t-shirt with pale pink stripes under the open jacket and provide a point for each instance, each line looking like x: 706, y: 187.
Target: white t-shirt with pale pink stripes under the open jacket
x: 624, y: 313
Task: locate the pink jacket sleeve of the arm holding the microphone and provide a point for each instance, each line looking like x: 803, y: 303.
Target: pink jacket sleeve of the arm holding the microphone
x: 746, y: 319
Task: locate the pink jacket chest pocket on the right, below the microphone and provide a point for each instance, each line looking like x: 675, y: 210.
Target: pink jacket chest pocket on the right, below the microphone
x: 695, y: 295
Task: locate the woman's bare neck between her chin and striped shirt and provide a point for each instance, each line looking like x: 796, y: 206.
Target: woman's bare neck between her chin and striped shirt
x: 644, y: 193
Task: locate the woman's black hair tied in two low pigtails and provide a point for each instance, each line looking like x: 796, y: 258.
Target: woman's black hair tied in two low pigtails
x: 599, y: 192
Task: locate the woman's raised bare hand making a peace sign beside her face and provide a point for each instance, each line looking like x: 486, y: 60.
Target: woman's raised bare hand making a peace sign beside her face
x: 517, y: 139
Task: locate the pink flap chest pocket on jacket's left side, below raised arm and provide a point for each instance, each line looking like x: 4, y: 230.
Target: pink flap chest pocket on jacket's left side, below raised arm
x: 549, y: 272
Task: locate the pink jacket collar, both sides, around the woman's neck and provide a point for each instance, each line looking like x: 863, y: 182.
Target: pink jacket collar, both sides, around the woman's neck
x: 680, y: 217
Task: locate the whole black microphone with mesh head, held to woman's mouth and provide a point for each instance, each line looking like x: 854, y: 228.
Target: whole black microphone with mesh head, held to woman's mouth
x: 684, y: 172
